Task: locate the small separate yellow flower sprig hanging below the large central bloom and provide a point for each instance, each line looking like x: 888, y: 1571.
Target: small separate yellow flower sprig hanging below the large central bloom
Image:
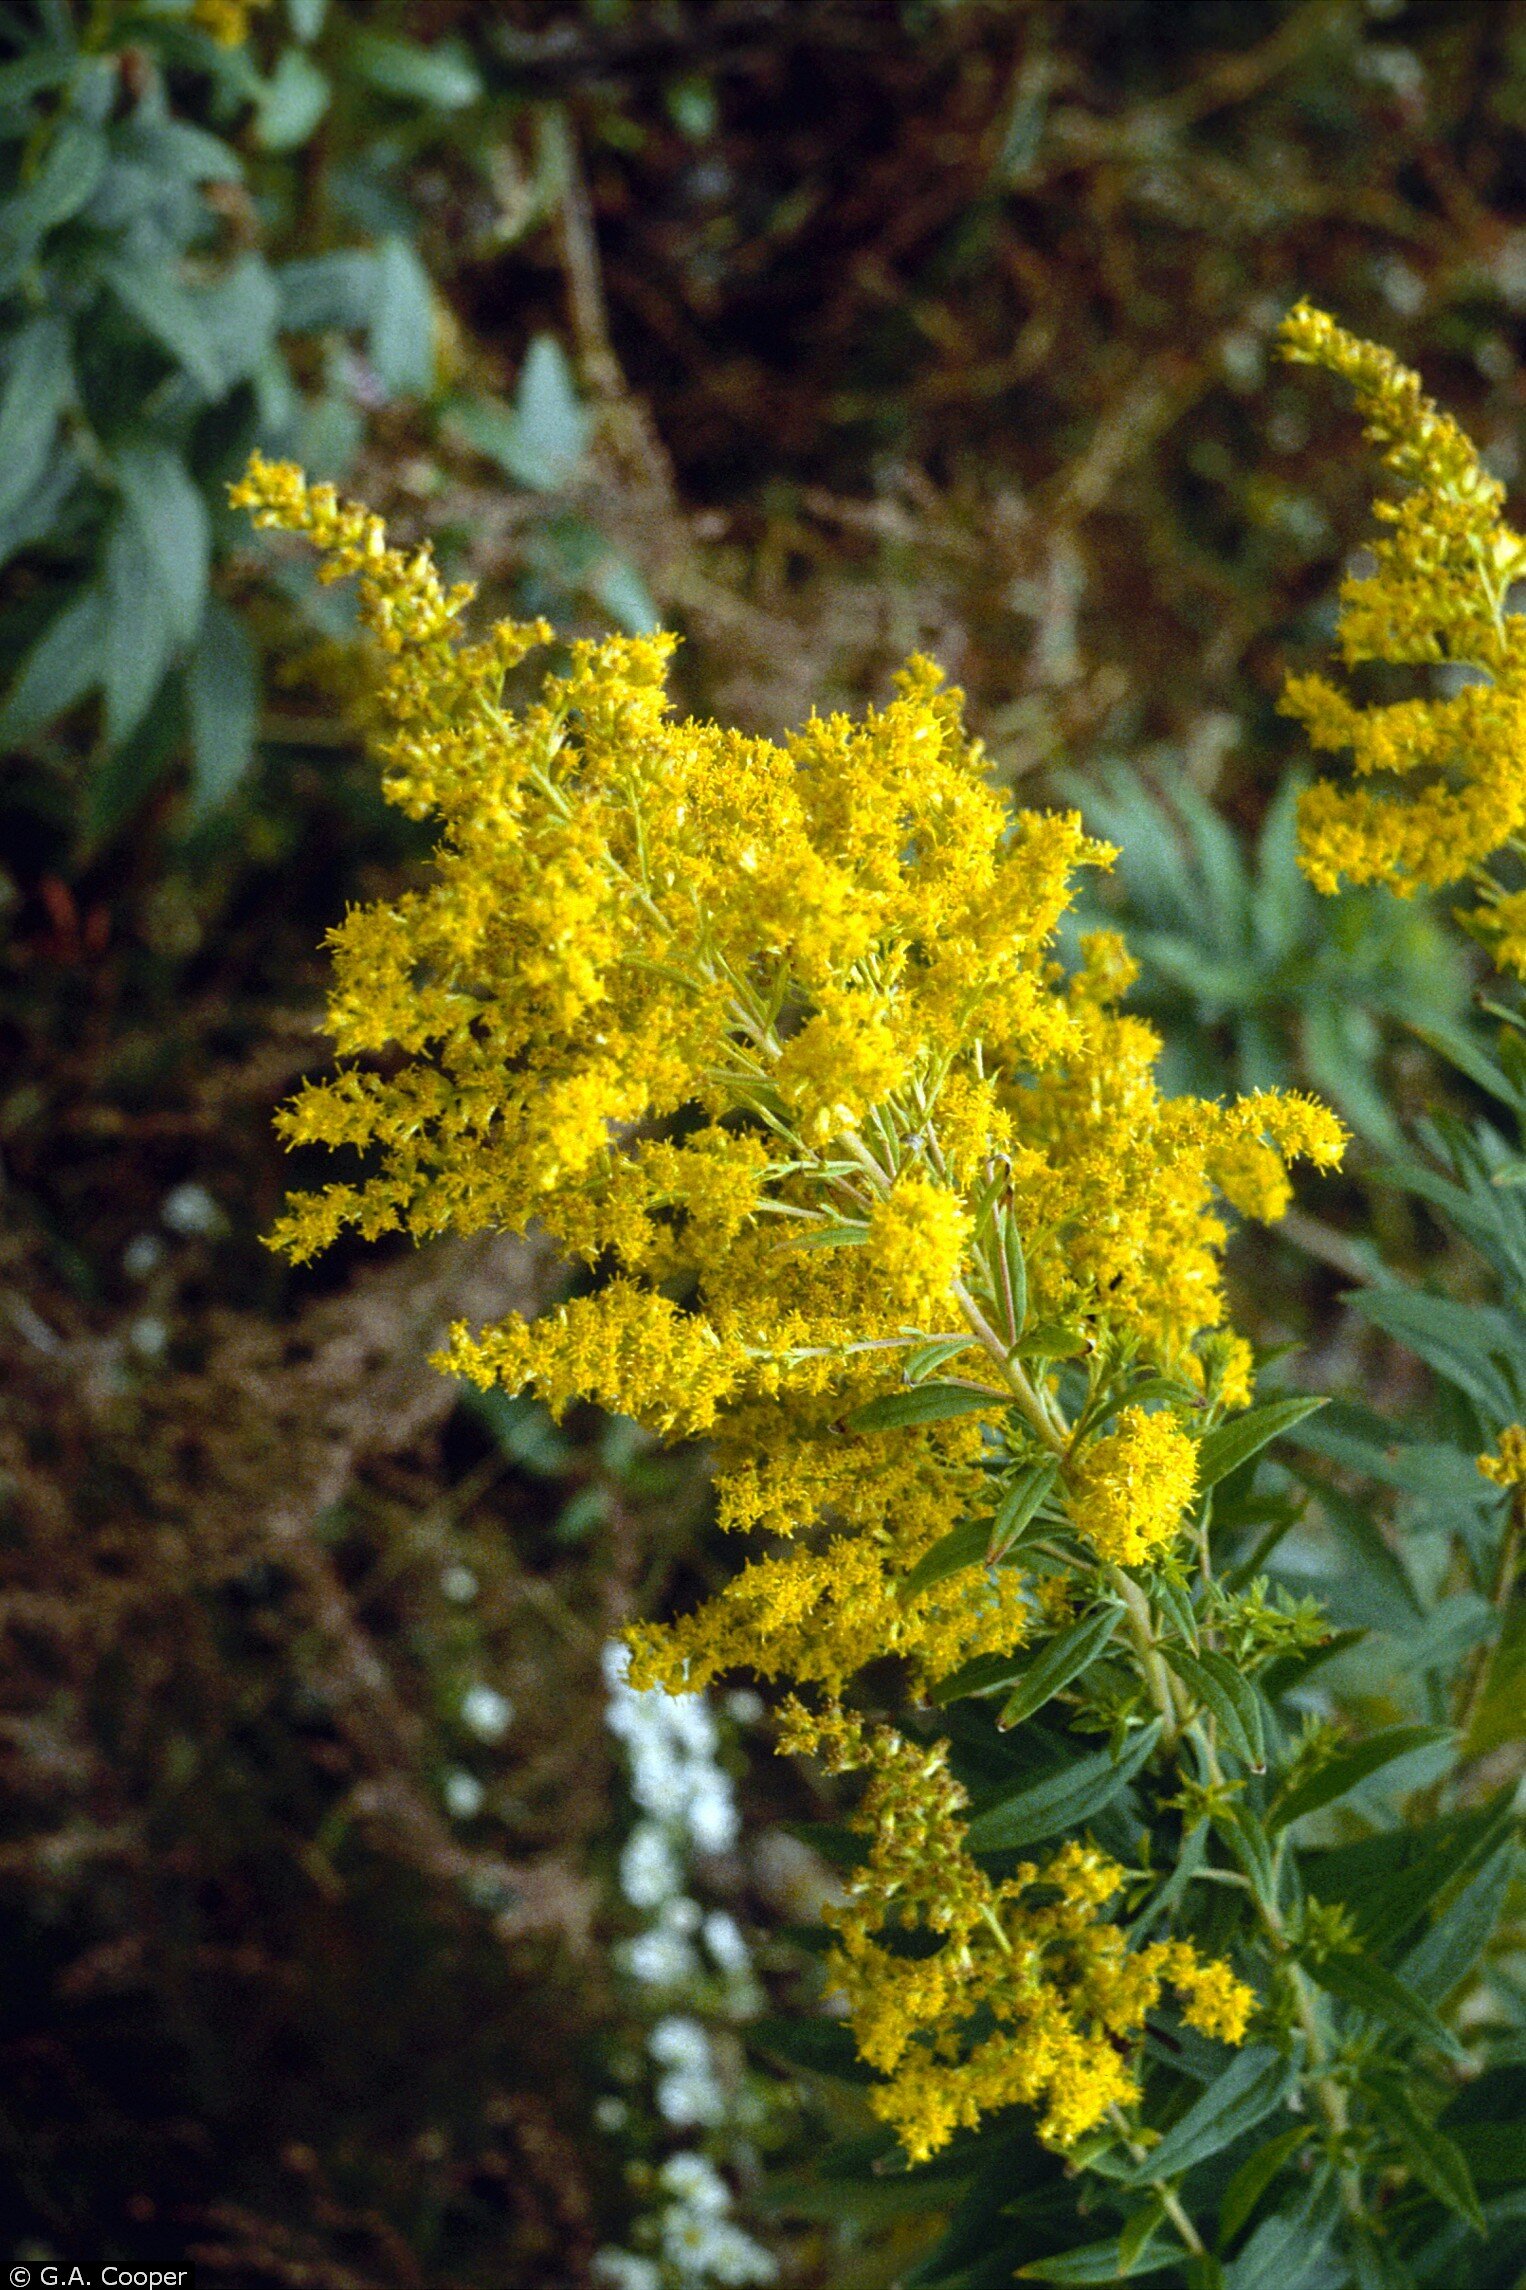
x: 1030, y: 1998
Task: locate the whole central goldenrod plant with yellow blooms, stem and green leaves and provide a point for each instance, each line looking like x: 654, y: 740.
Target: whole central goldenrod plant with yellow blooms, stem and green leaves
x: 888, y: 1208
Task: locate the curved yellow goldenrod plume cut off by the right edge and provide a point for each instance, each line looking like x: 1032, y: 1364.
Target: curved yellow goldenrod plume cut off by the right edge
x: 1440, y: 777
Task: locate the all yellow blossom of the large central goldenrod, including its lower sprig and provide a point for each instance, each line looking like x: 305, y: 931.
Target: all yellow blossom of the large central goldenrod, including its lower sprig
x: 771, y: 1041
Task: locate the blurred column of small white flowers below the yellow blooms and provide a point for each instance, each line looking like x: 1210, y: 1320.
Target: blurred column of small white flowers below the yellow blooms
x: 686, y: 1806
